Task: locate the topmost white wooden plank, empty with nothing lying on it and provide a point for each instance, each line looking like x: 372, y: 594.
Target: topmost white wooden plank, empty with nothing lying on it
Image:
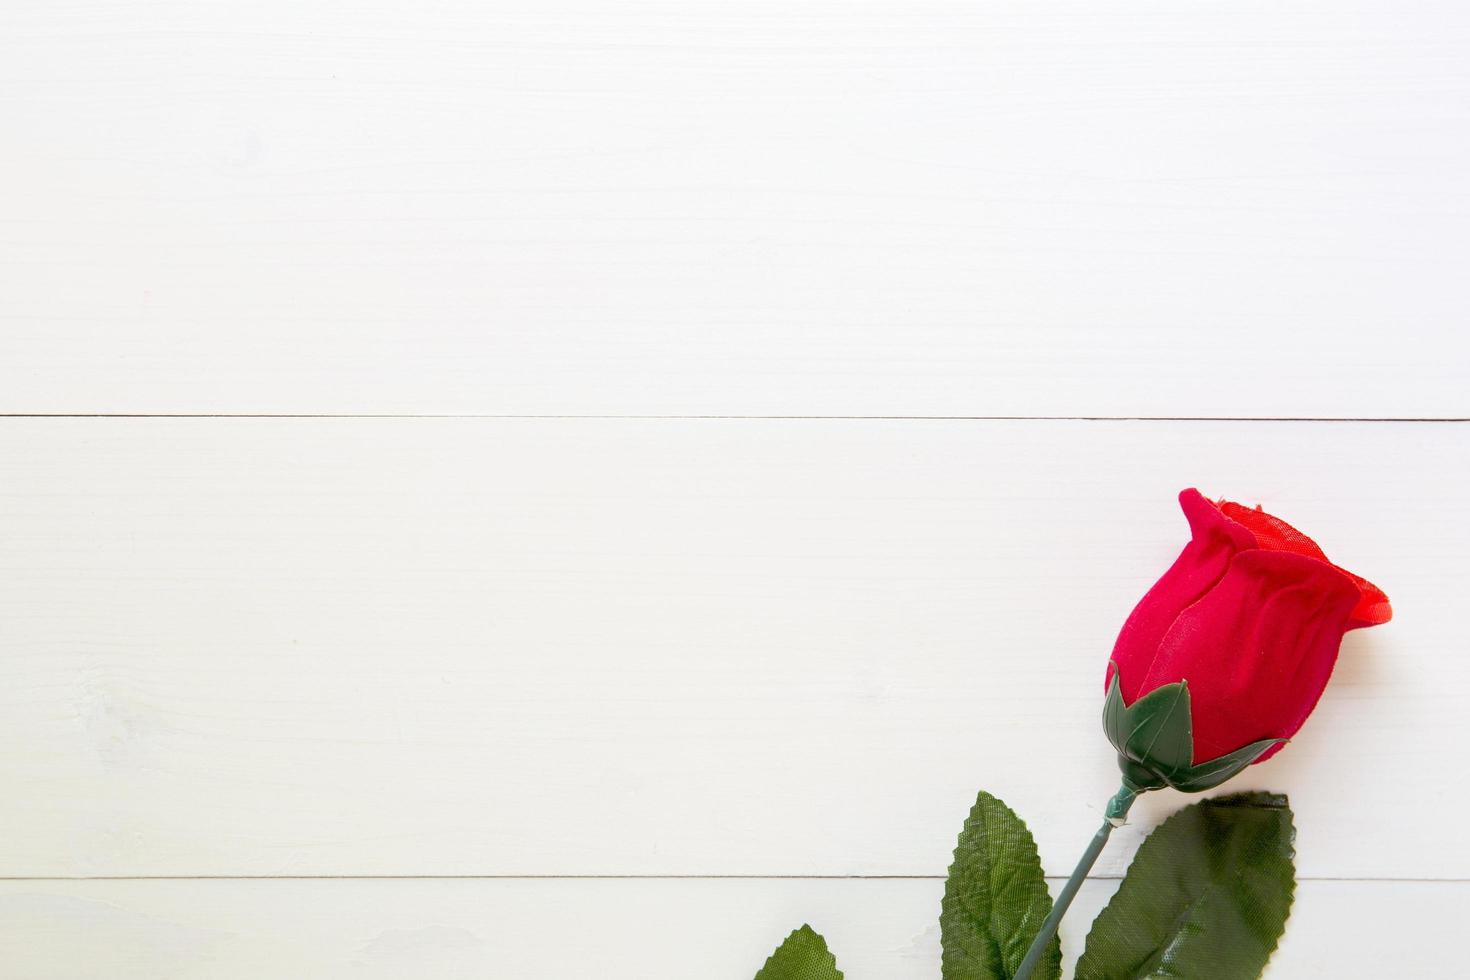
x: 731, y: 208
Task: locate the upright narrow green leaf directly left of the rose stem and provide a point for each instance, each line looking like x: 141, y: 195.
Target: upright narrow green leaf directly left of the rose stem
x: 994, y: 900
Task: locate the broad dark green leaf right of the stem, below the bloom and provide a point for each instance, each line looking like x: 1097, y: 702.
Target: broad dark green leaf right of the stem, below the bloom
x: 1206, y: 897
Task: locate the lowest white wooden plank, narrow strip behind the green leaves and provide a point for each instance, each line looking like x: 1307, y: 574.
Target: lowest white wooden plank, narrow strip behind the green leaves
x: 614, y: 929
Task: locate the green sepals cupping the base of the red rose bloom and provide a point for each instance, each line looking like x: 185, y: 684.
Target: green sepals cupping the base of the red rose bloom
x: 1155, y: 741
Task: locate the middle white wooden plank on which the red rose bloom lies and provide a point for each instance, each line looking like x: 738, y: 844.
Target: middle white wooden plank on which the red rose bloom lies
x: 723, y: 647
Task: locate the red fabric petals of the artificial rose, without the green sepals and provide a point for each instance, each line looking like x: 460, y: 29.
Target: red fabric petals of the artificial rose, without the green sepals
x: 1250, y: 618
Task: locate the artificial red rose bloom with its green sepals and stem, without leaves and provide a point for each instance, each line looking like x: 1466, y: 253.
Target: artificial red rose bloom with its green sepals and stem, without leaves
x: 1219, y: 665
